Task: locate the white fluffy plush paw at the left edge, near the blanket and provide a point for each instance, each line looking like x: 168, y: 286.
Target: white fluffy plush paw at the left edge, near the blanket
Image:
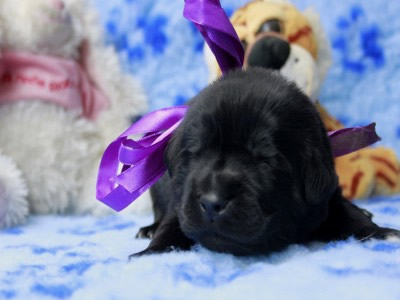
x: 13, y: 193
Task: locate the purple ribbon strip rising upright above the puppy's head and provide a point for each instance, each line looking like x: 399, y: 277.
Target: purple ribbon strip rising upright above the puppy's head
x: 214, y: 25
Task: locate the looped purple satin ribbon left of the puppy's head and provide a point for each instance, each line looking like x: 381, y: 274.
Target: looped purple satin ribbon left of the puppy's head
x: 128, y: 168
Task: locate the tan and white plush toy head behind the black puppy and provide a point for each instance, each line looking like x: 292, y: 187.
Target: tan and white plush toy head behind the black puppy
x: 275, y: 35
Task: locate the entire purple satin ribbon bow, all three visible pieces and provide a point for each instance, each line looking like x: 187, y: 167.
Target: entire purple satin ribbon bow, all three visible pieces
x: 128, y: 167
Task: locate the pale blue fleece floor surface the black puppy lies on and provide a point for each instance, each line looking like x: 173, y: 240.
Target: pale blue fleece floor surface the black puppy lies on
x: 86, y: 258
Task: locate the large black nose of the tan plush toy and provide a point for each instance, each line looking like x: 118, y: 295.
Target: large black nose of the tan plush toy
x: 269, y: 52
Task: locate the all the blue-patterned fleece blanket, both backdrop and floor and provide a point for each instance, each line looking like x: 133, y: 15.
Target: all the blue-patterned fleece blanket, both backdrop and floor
x: 56, y: 257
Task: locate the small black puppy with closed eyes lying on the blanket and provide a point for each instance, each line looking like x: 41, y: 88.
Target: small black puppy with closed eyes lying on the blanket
x: 250, y: 171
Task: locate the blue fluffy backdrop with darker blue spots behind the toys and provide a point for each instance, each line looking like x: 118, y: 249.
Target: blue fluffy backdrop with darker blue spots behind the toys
x: 165, y: 51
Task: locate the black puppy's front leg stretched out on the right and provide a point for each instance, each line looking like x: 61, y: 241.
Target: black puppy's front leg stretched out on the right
x: 346, y: 220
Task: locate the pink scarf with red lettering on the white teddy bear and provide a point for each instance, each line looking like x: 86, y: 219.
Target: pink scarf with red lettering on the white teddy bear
x: 64, y: 82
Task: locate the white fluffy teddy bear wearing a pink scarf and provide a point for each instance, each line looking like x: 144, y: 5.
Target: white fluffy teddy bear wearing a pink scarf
x: 63, y: 99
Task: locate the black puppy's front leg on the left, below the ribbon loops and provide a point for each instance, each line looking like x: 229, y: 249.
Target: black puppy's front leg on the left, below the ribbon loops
x: 167, y: 237
